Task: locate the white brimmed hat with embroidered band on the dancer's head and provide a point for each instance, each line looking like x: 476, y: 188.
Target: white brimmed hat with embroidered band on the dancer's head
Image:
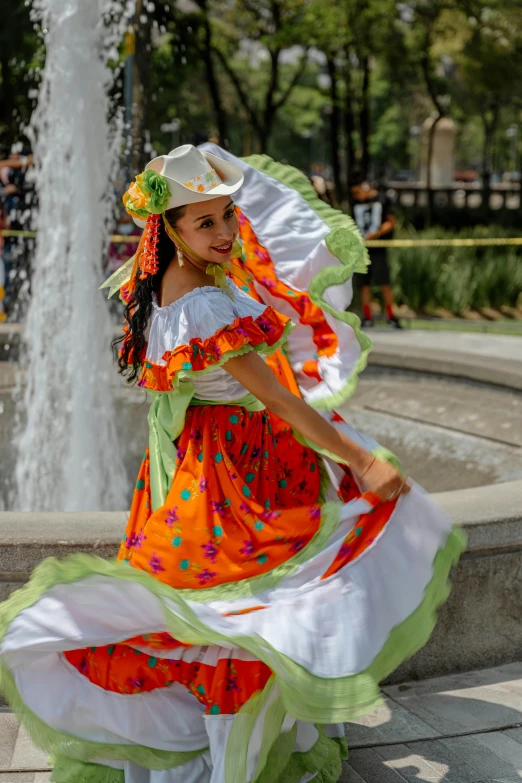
x: 193, y: 175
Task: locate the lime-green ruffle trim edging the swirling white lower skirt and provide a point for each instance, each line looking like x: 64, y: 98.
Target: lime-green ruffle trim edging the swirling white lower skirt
x: 307, y: 697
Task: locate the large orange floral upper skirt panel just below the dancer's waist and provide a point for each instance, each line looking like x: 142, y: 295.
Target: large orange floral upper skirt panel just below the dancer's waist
x: 244, y: 499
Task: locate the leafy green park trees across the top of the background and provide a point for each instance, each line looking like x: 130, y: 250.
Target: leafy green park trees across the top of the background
x: 392, y: 63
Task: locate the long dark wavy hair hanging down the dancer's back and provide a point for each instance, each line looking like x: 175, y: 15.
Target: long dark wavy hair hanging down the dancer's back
x: 139, y: 307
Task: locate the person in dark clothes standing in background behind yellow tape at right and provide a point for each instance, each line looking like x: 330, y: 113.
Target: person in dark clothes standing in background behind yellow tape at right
x: 372, y: 211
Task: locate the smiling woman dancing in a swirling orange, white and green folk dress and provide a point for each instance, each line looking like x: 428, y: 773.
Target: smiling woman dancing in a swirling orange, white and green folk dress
x: 276, y: 563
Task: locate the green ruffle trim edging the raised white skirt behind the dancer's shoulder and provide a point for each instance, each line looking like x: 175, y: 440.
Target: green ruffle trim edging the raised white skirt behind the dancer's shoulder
x: 345, y: 243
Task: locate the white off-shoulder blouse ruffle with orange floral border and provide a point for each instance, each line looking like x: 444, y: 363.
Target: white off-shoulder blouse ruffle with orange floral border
x: 204, y: 329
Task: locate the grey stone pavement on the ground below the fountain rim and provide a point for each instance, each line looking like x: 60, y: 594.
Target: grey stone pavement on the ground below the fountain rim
x: 465, y: 728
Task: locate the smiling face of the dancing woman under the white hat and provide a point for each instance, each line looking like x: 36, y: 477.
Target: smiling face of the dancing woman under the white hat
x: 209, y: 228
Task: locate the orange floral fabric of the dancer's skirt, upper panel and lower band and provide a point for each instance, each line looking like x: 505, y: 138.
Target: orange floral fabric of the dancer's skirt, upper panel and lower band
x: 244, y: 499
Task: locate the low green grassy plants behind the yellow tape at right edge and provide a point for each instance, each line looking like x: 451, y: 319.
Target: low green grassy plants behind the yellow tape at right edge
x: 457, y: 278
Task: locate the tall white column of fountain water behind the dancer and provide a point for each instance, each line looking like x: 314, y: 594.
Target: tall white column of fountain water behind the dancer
x: 68, y: 455
